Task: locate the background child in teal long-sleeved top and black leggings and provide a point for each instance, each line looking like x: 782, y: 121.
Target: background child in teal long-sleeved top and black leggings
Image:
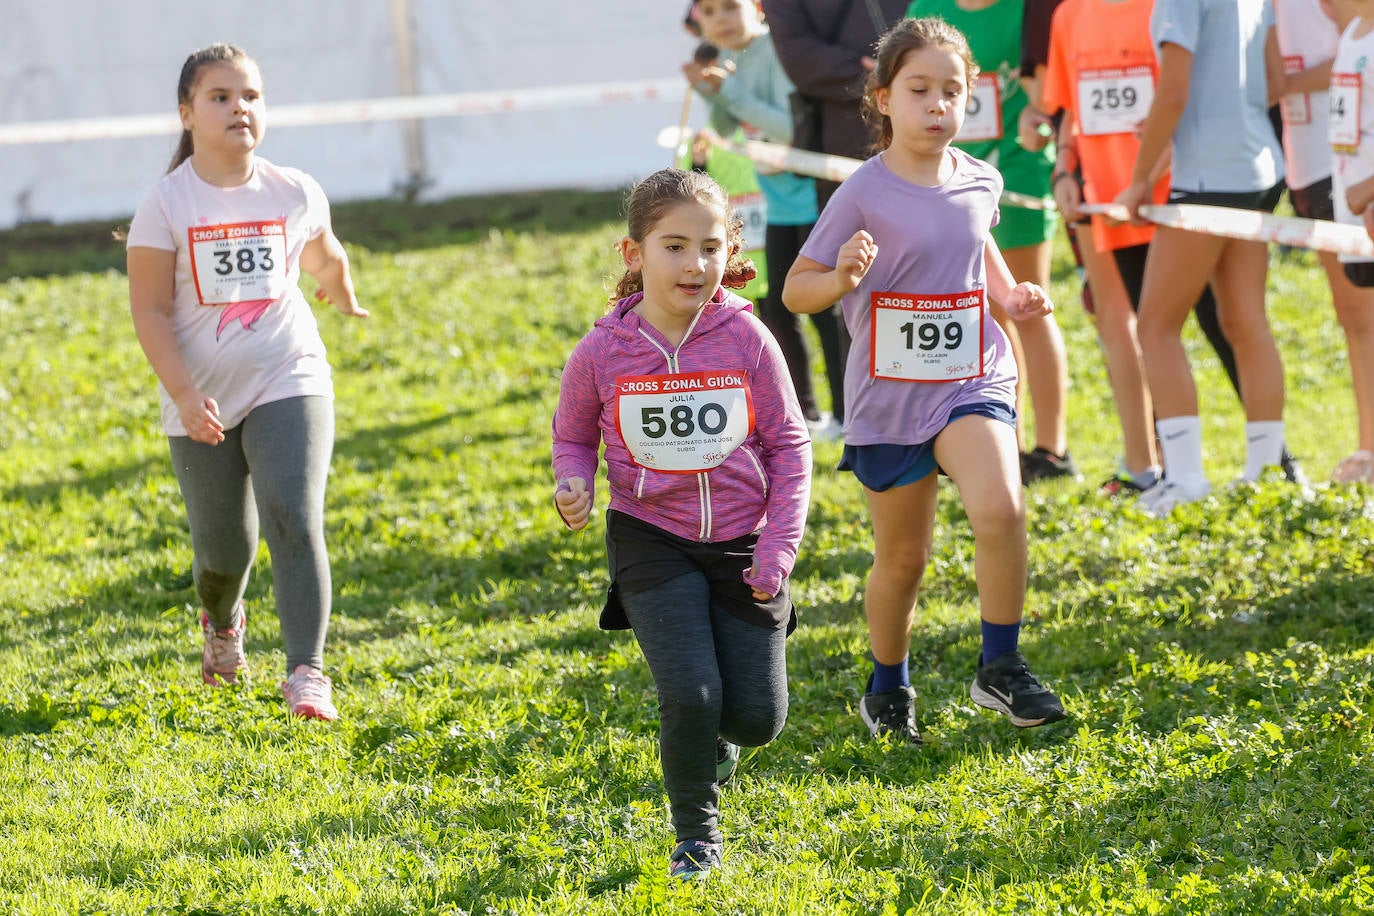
x: 748, y: 90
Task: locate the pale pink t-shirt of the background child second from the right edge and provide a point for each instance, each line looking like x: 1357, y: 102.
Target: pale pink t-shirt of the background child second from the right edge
x: 1307, y: 38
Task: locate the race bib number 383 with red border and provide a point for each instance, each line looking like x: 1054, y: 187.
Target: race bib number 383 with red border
x: 238, y: 262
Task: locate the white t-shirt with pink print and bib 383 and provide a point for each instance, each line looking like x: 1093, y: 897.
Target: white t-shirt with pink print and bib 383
x: 245, y: 330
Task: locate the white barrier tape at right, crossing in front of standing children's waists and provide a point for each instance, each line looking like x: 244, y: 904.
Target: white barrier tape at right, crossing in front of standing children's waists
x: 1251, y: 226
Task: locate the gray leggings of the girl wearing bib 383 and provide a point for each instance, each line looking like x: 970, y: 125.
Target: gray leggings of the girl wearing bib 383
x: 273, y: 466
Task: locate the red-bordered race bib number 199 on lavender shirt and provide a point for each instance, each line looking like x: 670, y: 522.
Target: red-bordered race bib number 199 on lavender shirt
x: 927, y: 339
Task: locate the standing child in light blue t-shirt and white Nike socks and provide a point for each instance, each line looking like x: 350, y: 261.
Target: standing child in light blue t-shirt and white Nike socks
x: 1211, y: 108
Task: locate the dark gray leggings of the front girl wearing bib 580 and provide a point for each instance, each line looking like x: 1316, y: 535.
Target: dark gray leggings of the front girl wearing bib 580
x: 717, y: 675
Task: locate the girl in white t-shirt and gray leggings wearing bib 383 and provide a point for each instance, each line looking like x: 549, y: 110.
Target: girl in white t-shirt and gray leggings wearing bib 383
x: 215, y: 256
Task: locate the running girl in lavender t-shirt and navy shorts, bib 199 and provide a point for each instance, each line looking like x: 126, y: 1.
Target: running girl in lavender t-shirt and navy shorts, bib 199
x: 905, y: 245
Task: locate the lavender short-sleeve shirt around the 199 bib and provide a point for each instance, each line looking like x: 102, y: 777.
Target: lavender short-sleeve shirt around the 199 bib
x: 931, y: 241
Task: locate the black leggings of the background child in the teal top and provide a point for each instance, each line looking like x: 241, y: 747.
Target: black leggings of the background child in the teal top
x: 782, y: 244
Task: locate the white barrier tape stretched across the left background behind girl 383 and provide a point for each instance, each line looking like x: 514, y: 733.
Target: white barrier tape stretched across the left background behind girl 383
x: 391, y: 109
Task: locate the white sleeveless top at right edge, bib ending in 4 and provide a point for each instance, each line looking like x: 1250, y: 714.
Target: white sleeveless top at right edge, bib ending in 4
x: 1351, y: 113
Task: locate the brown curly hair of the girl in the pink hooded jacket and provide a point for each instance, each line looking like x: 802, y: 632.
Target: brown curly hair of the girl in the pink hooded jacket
x: 653, y: 197
